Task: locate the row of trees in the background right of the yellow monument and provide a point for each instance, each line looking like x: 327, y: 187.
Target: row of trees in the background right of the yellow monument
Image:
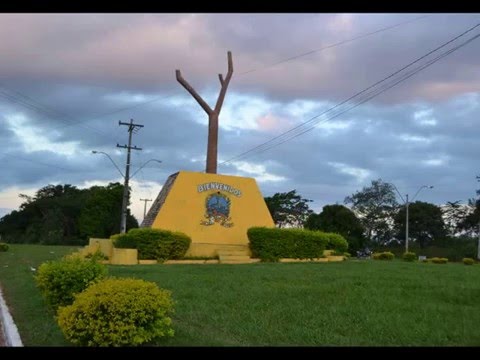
x: 372, y: 216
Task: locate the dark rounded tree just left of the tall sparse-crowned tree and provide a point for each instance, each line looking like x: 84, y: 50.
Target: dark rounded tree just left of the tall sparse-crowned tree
x: 339, y: 219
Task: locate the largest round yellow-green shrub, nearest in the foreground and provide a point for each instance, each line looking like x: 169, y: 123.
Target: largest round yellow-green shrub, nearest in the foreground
x: 116, y: 312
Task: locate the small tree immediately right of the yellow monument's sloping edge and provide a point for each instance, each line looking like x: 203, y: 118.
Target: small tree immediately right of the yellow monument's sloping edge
x: 288, y: 209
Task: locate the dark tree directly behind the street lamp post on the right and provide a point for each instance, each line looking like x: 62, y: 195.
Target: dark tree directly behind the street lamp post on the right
x: 425, y: 225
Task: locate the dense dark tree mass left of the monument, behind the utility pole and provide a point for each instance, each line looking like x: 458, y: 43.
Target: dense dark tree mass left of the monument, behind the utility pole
x: 66, y: 215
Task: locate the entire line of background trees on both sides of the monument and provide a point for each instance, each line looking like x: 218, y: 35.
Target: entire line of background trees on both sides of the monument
x: 65, y: 214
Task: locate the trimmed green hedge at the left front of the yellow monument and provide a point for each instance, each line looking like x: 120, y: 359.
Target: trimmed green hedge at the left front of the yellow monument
x: 154, y: 243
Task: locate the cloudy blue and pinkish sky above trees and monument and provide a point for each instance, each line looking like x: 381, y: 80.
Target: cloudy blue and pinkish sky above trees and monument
x: 67, y: 79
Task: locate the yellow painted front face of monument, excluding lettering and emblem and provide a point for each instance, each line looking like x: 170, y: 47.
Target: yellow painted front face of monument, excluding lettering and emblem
x: 184, y: 210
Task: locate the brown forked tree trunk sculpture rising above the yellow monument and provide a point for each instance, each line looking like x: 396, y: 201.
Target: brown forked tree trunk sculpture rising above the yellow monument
x: 212, y: 114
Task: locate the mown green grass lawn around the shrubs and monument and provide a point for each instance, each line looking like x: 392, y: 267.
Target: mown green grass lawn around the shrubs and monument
x: 355, y: 303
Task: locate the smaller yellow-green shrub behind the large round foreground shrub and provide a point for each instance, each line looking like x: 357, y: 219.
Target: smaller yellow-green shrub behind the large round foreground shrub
x: 60, y: 280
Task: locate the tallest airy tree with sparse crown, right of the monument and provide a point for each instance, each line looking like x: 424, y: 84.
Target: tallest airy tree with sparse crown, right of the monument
x: 375, y: 205
